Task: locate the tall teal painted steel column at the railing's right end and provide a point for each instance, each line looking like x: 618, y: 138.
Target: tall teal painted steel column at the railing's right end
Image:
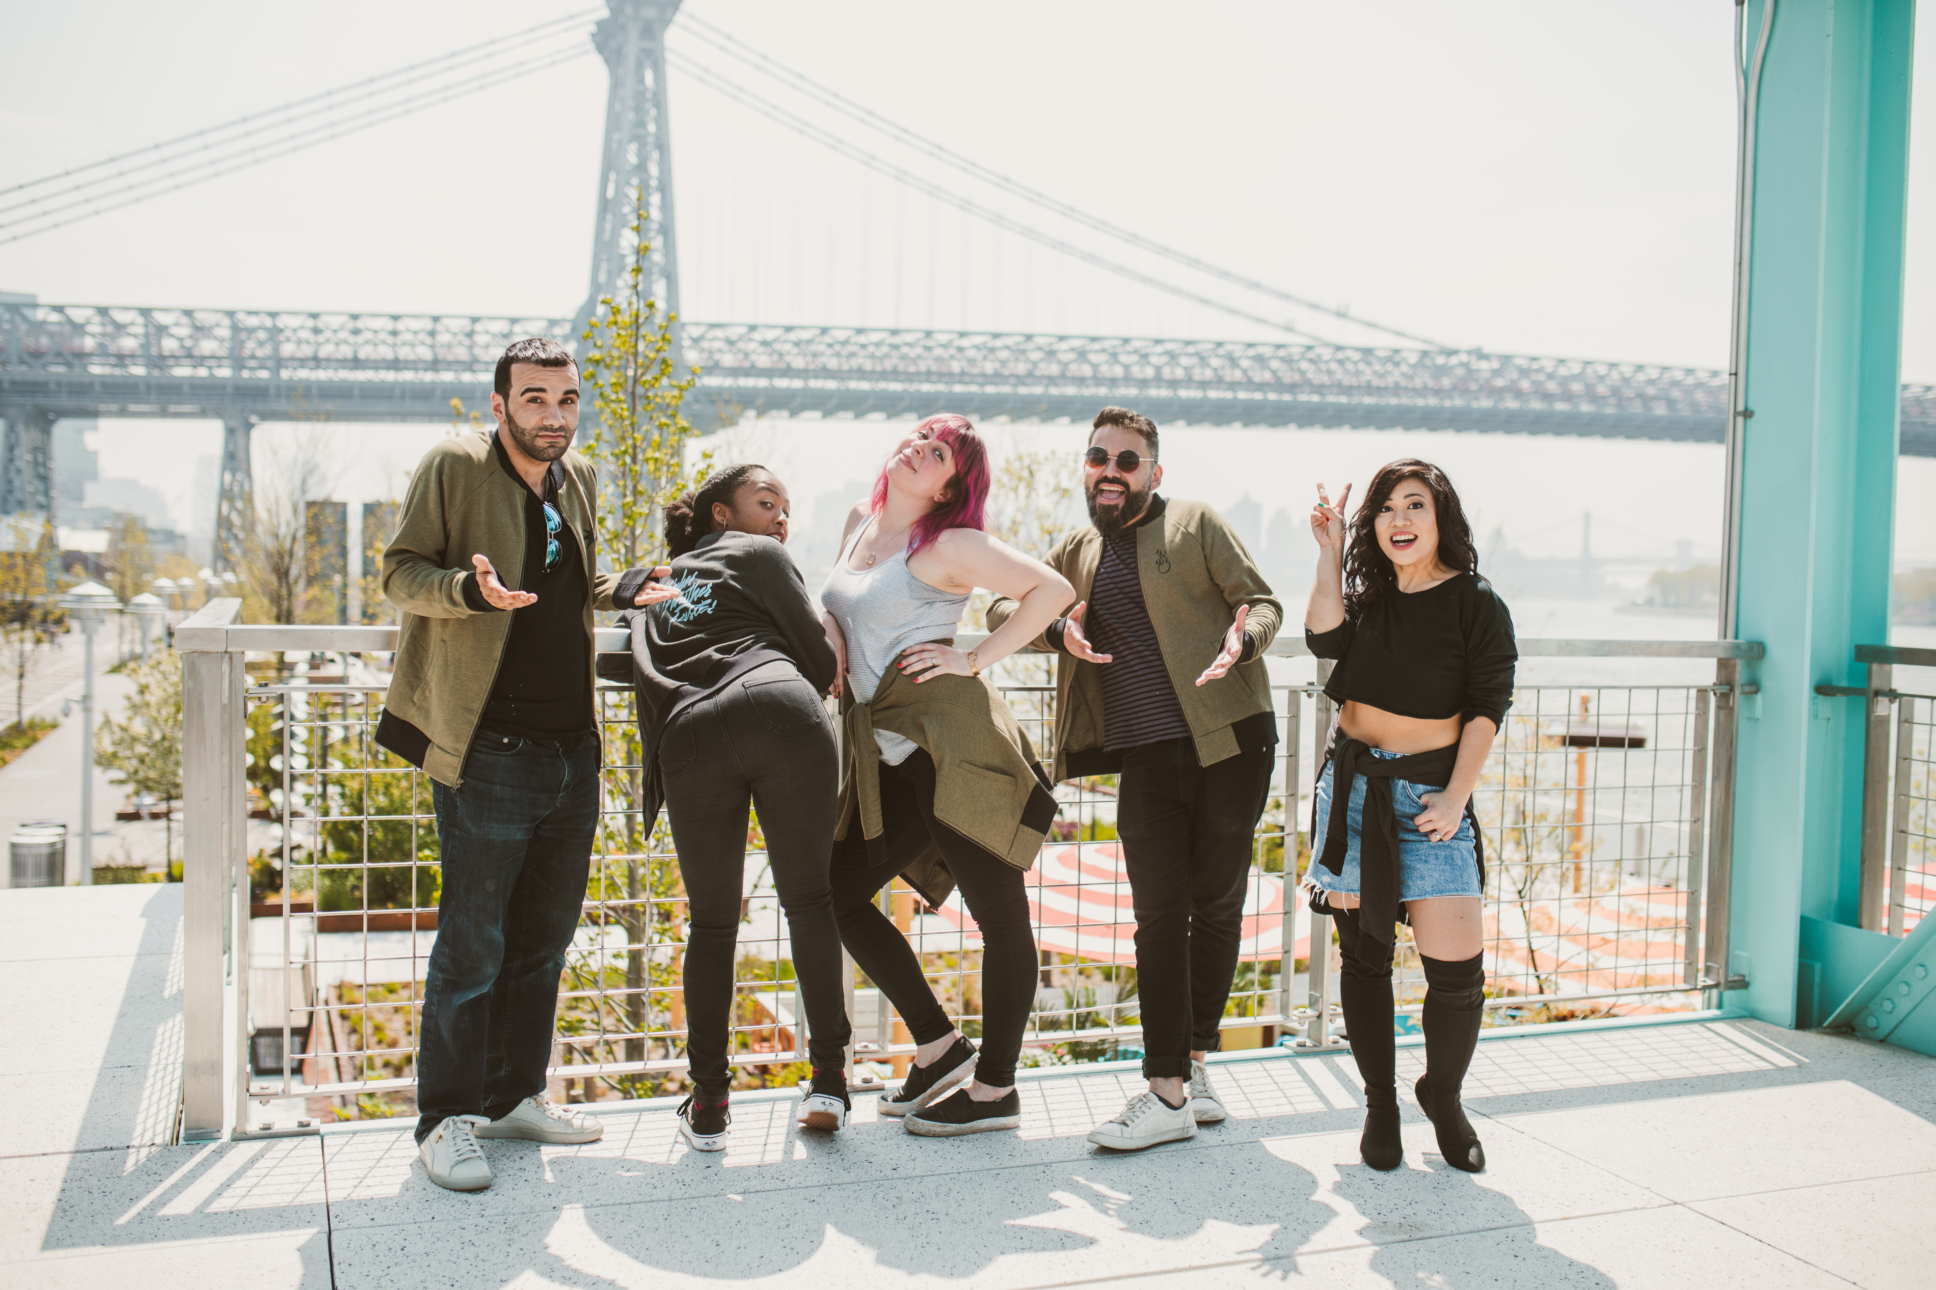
x: 1817, y: 460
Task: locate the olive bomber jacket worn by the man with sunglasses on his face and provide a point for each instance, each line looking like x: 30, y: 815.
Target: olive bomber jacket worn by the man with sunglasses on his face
x: 1195, y: 572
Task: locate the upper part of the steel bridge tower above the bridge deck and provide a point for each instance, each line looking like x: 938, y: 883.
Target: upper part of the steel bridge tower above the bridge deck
x: 638, y: 154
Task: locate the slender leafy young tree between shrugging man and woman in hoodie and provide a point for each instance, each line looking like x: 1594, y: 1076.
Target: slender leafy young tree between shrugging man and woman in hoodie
x: 640, y: 443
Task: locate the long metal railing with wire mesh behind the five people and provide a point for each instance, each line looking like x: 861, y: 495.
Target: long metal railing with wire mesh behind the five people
x: 1606, y: 814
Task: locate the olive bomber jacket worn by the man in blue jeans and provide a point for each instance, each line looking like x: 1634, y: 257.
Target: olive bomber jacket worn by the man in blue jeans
x: 464, y: 501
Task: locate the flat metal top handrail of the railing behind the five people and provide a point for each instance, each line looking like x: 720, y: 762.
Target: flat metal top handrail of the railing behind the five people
x: 195, y: 634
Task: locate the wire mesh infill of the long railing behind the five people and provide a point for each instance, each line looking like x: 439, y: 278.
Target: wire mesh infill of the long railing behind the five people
x: 1590, y: 813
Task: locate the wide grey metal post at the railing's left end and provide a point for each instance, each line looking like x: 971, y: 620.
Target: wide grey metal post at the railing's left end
x: 212, y: 820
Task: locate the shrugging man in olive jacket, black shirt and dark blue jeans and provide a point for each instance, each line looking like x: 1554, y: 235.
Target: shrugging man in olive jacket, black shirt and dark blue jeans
x: 495, y: 574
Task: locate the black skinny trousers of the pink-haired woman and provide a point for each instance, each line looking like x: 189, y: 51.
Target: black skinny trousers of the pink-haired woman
x: 992, y: 890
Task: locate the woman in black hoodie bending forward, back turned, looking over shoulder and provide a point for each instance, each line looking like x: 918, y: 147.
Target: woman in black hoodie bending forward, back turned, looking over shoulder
x: 731, y: 681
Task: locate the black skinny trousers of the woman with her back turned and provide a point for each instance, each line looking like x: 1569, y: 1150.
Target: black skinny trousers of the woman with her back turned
x: 768, y: 741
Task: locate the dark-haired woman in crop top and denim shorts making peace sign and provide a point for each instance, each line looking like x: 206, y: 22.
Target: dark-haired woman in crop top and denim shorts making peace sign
x: 1424, y: 679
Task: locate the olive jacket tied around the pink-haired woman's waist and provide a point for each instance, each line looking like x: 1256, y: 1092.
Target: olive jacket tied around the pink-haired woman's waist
x: 990, y: 785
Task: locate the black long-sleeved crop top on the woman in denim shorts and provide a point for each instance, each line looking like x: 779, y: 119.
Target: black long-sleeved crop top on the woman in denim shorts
x: 1436, y: 654
